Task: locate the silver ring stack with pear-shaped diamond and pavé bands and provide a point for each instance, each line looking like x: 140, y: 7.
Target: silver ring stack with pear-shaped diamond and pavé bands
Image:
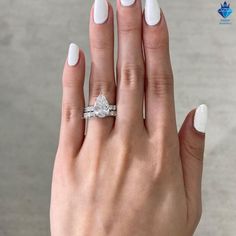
x: 101, y: 109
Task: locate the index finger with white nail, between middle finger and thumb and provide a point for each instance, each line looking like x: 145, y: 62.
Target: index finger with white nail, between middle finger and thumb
x: 160, y: 112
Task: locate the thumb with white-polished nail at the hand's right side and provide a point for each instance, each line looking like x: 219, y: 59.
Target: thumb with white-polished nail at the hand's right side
x: 192, y: 139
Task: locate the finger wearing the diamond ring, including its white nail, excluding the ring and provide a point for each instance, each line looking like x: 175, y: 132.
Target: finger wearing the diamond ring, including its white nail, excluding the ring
x: 102, y: 79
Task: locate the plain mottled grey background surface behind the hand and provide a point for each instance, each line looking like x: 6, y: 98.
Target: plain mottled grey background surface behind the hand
x: 34, y: 36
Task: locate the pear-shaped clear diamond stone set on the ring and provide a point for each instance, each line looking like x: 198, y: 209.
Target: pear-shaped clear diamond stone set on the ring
x: 101, y: 107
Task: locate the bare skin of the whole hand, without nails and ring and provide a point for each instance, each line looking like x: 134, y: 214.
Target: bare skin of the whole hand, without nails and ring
x: 129, y: 175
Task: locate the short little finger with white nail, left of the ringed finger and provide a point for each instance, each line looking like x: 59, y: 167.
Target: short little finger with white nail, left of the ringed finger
x: 72, y: 124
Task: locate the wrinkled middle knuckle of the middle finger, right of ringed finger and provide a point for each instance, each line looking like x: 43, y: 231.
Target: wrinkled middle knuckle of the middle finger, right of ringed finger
x: 131, y: 76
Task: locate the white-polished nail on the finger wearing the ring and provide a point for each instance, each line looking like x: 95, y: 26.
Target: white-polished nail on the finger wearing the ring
x: 100, y: 11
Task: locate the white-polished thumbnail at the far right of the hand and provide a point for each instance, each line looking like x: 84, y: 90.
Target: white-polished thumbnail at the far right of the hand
x: 200, y: 118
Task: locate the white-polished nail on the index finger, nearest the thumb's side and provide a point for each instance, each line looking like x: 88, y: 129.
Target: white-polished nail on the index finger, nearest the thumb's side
x: 152, y: 12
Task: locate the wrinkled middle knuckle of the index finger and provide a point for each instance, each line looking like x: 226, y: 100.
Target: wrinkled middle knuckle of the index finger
x: 161, y: 84
